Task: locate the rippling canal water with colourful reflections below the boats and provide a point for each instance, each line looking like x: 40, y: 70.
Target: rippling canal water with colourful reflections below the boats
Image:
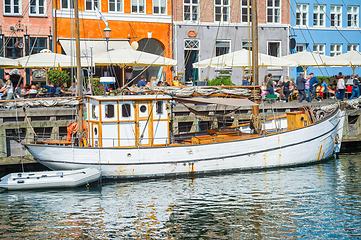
x: 321, y: 201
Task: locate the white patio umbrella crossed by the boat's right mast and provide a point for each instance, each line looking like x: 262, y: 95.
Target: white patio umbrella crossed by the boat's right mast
x: 241, y: 59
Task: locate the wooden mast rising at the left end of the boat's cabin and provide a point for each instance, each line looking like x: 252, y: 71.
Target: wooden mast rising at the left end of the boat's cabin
x: 78, y: 68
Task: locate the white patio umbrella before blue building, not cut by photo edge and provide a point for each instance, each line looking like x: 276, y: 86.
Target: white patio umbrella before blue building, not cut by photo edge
x: 311, y: 59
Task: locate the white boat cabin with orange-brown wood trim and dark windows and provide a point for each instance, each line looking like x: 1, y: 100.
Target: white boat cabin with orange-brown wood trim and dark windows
x: 127, y: 121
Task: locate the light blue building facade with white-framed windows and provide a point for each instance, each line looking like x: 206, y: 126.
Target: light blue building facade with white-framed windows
x: 330, y: 27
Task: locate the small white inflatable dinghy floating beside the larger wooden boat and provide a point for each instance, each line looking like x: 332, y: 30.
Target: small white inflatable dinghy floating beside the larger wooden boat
x: 49, y: 179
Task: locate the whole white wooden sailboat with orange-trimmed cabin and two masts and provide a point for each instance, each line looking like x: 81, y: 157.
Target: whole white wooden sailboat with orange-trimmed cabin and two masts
x: 130, y: 137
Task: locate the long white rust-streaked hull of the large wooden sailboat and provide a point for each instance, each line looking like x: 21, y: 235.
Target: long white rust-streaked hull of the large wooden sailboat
x: 301, y: 146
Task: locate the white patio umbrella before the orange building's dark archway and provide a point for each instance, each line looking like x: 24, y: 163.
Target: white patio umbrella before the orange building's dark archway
x: 130, y: 57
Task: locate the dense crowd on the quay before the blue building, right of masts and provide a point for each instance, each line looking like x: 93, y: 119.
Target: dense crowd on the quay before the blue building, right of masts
x: 308, y: 87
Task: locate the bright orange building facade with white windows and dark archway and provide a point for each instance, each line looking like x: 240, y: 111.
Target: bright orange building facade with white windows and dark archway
x: 147, y: 22
